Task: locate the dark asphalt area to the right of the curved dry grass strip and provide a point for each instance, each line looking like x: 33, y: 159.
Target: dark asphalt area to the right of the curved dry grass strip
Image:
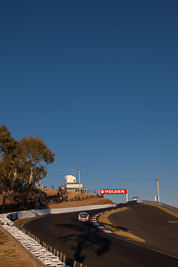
x: 158, y: 228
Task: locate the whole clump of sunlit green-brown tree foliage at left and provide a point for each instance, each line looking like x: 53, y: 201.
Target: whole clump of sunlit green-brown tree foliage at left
x: 22, y: 163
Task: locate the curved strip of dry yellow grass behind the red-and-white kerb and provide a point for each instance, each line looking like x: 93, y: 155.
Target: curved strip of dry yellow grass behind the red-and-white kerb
x: 103, y: 219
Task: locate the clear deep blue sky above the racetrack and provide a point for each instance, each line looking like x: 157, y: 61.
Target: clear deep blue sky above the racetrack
x: 97, y: 81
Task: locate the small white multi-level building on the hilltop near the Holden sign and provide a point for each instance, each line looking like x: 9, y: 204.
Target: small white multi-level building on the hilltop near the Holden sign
x: 73, y: 186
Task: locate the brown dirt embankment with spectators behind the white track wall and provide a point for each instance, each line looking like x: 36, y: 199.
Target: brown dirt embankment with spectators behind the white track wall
x: 51, y: 198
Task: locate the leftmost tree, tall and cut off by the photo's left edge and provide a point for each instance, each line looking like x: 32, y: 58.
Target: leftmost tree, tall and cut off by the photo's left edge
x: 10, y: 163
